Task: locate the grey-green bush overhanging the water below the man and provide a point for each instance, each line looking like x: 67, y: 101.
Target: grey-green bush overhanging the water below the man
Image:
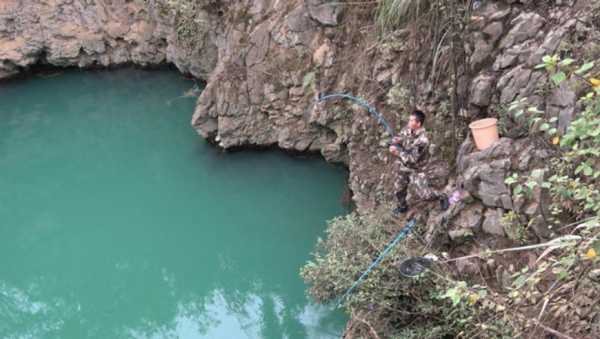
x: 386, y: 303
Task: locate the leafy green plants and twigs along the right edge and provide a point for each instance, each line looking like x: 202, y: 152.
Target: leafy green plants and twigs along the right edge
x: 555, y: 293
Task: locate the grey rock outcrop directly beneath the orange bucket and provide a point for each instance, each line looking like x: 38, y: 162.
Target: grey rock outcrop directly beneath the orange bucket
x: 483, y: 175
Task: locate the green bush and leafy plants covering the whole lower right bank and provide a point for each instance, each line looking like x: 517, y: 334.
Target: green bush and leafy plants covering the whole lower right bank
x: 556, y: 293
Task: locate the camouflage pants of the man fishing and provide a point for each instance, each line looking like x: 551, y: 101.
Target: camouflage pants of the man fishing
x: 419, y: 184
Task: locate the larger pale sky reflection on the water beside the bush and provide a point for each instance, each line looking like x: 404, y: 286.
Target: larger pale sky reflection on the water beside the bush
x: 215, y: 318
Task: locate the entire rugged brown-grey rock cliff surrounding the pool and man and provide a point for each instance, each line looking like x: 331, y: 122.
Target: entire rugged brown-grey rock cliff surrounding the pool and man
x: 267, y: 61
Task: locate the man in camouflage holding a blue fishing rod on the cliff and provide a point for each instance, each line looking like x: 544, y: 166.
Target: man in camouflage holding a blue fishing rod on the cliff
x: 411, y: 146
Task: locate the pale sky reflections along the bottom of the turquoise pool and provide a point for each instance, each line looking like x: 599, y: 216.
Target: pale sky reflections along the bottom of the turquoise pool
x: 220, y: 314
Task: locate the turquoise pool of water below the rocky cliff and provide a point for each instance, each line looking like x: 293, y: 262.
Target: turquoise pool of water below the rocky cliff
x: 117, y: 221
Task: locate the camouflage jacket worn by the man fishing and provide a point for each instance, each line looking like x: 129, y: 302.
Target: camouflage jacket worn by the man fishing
x: 414, y: 149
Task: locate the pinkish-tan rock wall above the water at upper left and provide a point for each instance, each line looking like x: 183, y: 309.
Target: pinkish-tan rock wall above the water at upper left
x: 95, y: 33
